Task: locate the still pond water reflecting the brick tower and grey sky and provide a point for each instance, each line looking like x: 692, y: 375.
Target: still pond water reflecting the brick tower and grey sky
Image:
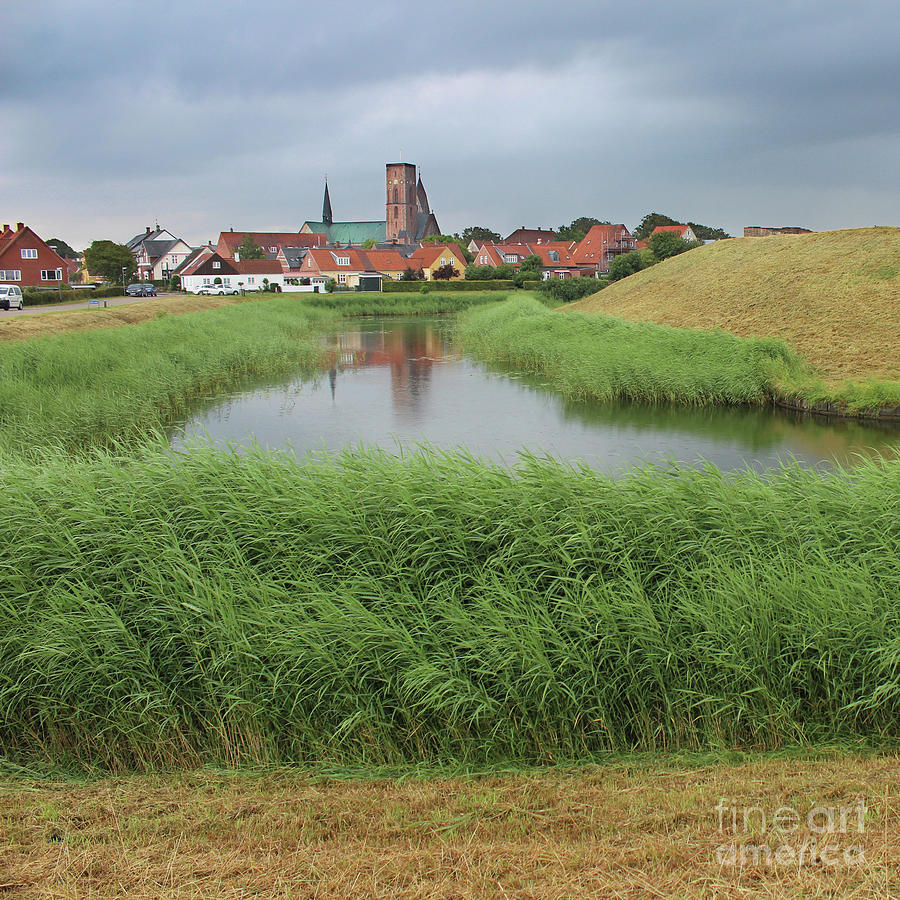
x: 399, y: 383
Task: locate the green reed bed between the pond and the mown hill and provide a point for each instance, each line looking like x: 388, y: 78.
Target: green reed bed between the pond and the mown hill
x: 599, y: 357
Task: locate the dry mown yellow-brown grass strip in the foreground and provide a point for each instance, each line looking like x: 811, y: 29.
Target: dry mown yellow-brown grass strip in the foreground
x: 623, y: 831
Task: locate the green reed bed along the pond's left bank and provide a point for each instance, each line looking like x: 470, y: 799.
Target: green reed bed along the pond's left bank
x: 83, y: 389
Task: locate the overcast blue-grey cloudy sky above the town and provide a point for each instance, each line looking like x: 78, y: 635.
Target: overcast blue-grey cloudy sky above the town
x: 212, y: 114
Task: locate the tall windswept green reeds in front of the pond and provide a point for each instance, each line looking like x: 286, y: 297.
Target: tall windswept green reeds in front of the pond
x: 166, y: 610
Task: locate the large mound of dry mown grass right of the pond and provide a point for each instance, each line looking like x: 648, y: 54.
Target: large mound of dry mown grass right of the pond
x: 833, y: 296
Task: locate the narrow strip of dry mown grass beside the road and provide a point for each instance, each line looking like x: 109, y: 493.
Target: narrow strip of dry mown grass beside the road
x: 59, y: 321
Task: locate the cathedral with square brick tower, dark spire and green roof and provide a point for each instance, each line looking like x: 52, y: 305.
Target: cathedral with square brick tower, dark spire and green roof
x: 408, y: 217
